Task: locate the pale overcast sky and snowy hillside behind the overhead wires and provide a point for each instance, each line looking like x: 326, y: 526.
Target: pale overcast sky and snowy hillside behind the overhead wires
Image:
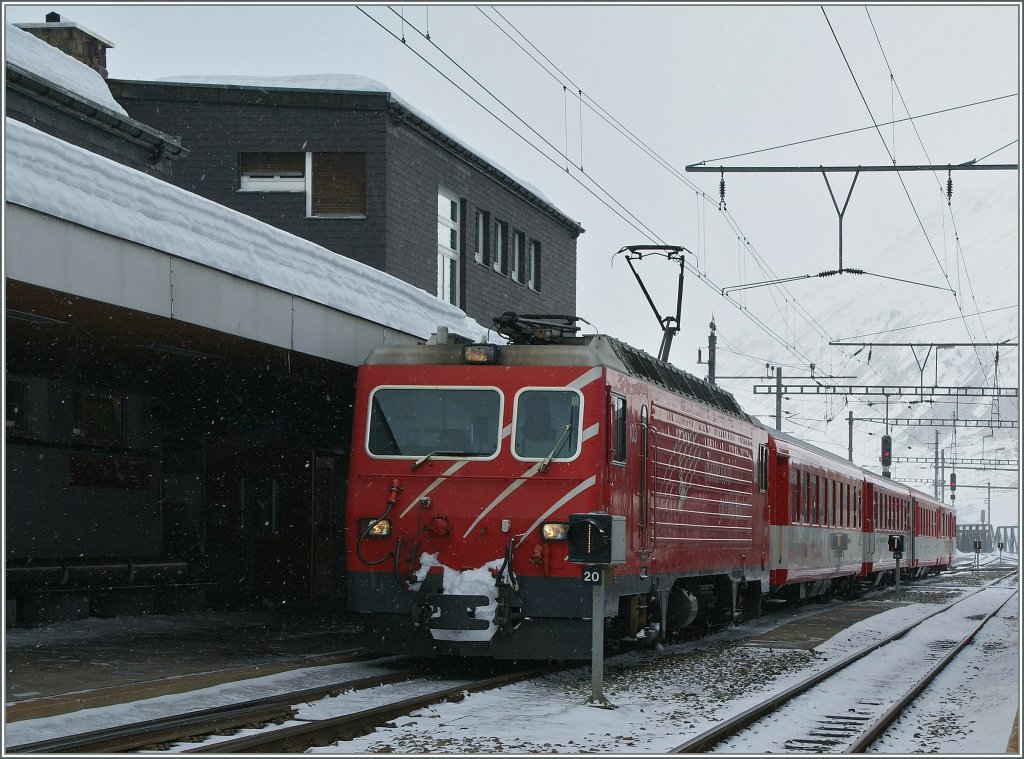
x: 667, y: 87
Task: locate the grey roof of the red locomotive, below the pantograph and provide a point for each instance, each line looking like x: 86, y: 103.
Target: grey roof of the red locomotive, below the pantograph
x: 586, y: 351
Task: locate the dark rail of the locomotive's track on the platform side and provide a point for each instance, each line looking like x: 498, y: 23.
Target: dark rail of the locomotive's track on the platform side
x: 181, y: 727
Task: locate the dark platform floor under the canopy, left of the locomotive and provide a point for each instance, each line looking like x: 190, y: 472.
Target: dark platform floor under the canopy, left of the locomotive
x: 70, y: 666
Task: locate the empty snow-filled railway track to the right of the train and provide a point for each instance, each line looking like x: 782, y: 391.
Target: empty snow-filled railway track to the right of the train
x: 827, y: 715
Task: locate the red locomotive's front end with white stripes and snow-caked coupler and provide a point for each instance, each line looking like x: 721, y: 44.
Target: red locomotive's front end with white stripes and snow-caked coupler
x: 463, y: 474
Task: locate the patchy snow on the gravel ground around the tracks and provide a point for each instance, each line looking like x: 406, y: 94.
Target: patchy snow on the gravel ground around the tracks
x: 662, y: 698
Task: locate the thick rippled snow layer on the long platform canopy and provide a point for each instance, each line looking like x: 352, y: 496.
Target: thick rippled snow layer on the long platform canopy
x: 55, y: 178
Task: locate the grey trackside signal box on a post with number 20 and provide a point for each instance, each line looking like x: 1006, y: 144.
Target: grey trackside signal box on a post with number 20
x: 598, y: 541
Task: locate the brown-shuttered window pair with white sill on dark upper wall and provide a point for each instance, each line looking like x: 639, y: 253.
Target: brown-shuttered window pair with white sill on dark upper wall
x: 335, y: 184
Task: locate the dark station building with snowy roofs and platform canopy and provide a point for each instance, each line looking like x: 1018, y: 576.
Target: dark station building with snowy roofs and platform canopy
x: 179, y: 372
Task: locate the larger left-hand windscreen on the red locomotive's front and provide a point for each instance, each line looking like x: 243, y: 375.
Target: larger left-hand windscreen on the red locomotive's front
x: 453, y: 423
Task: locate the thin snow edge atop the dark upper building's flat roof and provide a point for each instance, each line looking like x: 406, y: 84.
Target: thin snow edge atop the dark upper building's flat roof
x: 353, y: 83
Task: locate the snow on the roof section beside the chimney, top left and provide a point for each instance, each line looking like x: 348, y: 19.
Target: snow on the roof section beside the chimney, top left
x: 32, y: 55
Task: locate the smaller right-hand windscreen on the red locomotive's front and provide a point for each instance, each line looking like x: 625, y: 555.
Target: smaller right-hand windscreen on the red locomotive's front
x: 547, y: 425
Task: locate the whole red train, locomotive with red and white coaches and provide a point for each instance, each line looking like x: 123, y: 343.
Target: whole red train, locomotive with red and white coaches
x: 472, y: 465
